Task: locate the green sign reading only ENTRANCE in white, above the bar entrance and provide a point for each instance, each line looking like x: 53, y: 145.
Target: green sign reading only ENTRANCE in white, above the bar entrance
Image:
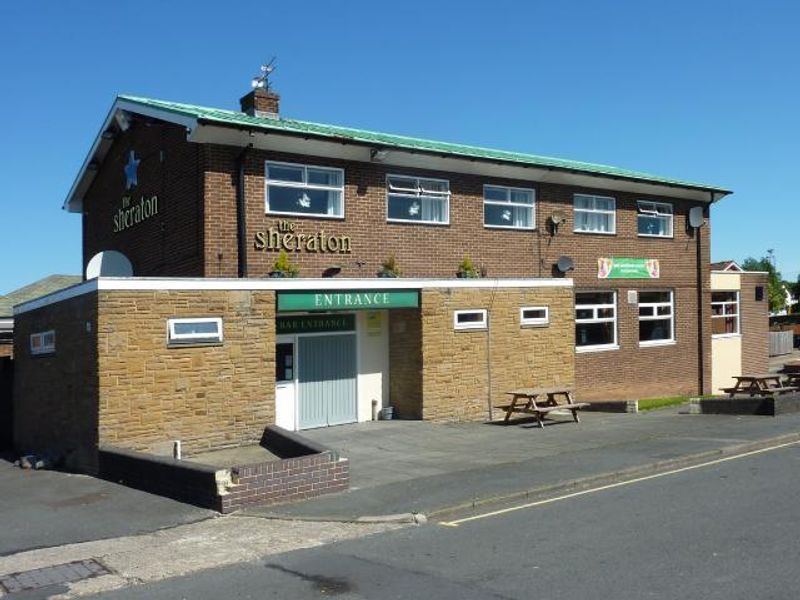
x: 347, y: 300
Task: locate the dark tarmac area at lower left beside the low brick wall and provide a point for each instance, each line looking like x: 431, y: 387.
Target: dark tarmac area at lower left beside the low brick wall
x: 51, y: 508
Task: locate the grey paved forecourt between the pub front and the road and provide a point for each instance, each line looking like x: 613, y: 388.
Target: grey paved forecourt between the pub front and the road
x: 407, y: 466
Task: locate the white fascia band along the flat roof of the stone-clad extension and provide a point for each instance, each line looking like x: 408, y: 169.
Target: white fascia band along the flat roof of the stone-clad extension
x: 316, y: 284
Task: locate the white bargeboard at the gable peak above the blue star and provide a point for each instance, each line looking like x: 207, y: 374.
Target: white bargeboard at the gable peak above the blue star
x: 100, y: 146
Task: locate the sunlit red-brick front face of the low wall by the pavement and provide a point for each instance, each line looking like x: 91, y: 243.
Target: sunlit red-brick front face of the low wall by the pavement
x: 286, y: 480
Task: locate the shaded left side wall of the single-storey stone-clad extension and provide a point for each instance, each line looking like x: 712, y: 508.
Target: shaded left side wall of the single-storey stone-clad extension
x: 55, y: 395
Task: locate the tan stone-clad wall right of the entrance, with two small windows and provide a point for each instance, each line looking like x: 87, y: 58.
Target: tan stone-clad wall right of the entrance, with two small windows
x: 456, y: 380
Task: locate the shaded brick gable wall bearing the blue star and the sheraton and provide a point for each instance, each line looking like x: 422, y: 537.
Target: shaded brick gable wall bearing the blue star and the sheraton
x: 169, y: 243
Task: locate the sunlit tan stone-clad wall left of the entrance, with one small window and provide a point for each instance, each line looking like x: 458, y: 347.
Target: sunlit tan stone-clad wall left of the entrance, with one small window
x: 208, y: 397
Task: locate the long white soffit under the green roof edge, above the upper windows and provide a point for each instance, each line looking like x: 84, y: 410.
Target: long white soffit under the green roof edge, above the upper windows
x: 341, y: 150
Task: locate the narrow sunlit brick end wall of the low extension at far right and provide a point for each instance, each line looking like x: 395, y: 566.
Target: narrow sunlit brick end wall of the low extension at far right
x: 754, y: 324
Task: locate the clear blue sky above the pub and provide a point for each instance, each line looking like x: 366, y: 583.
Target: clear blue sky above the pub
x: 705, y: 91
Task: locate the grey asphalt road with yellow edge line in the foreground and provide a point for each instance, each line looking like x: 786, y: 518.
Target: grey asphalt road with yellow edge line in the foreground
x: 726, y: 531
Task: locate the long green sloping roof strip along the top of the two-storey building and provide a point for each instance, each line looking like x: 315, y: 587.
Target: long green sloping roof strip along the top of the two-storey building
x: 293, y: 126
